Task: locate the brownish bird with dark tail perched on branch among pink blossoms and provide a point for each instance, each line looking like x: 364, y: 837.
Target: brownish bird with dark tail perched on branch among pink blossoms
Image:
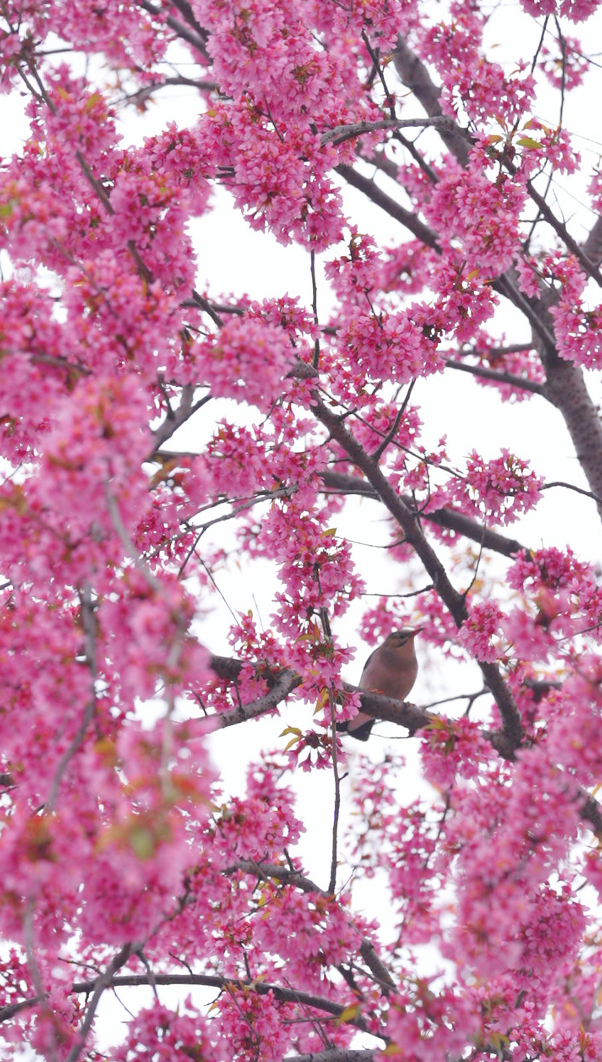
x: 391, y: 670
